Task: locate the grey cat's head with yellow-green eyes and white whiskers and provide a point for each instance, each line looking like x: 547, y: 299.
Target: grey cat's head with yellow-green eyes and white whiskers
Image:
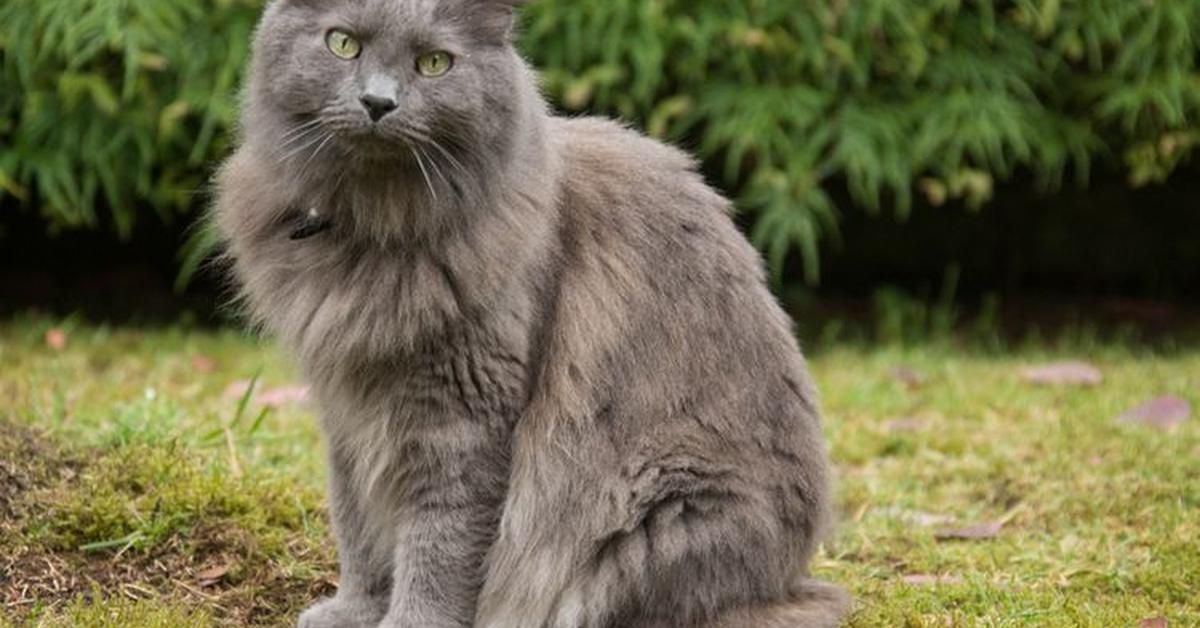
x: 386, y: 81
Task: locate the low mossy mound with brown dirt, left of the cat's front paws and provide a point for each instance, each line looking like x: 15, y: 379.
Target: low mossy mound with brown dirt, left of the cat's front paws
x: 157, y: 523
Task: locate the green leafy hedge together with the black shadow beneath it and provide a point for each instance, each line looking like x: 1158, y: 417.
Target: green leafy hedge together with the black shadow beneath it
x: 1024, y: 143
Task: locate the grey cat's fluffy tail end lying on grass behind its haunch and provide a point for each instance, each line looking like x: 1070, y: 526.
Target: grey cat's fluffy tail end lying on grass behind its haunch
x: 813, y: 605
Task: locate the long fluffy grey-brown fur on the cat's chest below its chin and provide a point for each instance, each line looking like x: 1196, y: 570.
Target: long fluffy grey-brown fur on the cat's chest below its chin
x: 417, y: 349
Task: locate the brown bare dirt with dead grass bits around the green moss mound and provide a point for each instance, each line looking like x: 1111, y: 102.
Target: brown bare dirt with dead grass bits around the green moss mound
x: 214, y: 565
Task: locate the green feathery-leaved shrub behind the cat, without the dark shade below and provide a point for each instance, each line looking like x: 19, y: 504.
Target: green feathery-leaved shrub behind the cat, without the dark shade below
x: 128, y: 104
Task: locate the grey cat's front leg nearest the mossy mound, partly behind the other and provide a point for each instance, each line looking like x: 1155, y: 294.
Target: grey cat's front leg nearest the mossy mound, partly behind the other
x: 365, y: 559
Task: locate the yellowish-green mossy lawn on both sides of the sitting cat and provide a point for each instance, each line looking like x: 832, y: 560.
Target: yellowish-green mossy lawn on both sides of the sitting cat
x: 136, y: 492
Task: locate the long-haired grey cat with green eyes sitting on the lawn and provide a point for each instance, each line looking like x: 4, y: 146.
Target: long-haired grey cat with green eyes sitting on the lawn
x: 555, y: 388
